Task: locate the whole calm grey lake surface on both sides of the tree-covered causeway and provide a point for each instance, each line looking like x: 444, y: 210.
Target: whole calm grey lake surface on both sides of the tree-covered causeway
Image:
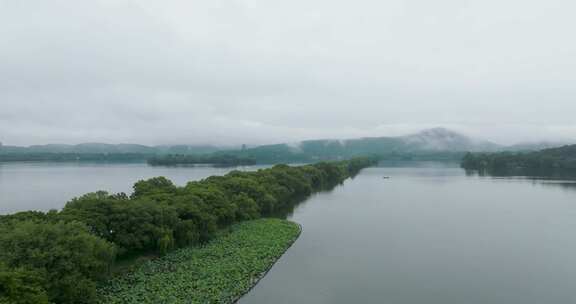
x: 429, y: 234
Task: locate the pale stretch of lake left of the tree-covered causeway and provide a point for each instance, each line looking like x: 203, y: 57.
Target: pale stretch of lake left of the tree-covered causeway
x: 44, y: 186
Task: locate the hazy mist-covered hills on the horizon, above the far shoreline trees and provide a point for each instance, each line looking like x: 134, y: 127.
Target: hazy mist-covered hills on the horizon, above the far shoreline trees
x: 435, y: 143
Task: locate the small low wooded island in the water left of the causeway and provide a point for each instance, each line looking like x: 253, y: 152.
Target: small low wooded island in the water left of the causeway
x: 214, y: 159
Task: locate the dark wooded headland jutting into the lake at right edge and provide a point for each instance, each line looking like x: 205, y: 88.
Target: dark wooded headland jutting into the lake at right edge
x: 563, y: 158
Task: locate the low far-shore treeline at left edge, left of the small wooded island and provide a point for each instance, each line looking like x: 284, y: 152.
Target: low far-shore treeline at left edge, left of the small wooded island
x: 48, y: 156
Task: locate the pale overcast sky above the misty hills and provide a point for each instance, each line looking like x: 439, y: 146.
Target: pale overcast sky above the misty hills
x: 267, y: 71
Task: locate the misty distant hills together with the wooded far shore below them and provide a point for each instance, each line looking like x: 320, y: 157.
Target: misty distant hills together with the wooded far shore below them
x: 431, y: 144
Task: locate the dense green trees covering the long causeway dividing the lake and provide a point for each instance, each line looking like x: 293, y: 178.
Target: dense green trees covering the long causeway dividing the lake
x: 61, y: 256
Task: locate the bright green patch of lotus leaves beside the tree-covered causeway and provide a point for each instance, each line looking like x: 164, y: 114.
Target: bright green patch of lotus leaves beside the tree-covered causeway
x: 219, y: 272
